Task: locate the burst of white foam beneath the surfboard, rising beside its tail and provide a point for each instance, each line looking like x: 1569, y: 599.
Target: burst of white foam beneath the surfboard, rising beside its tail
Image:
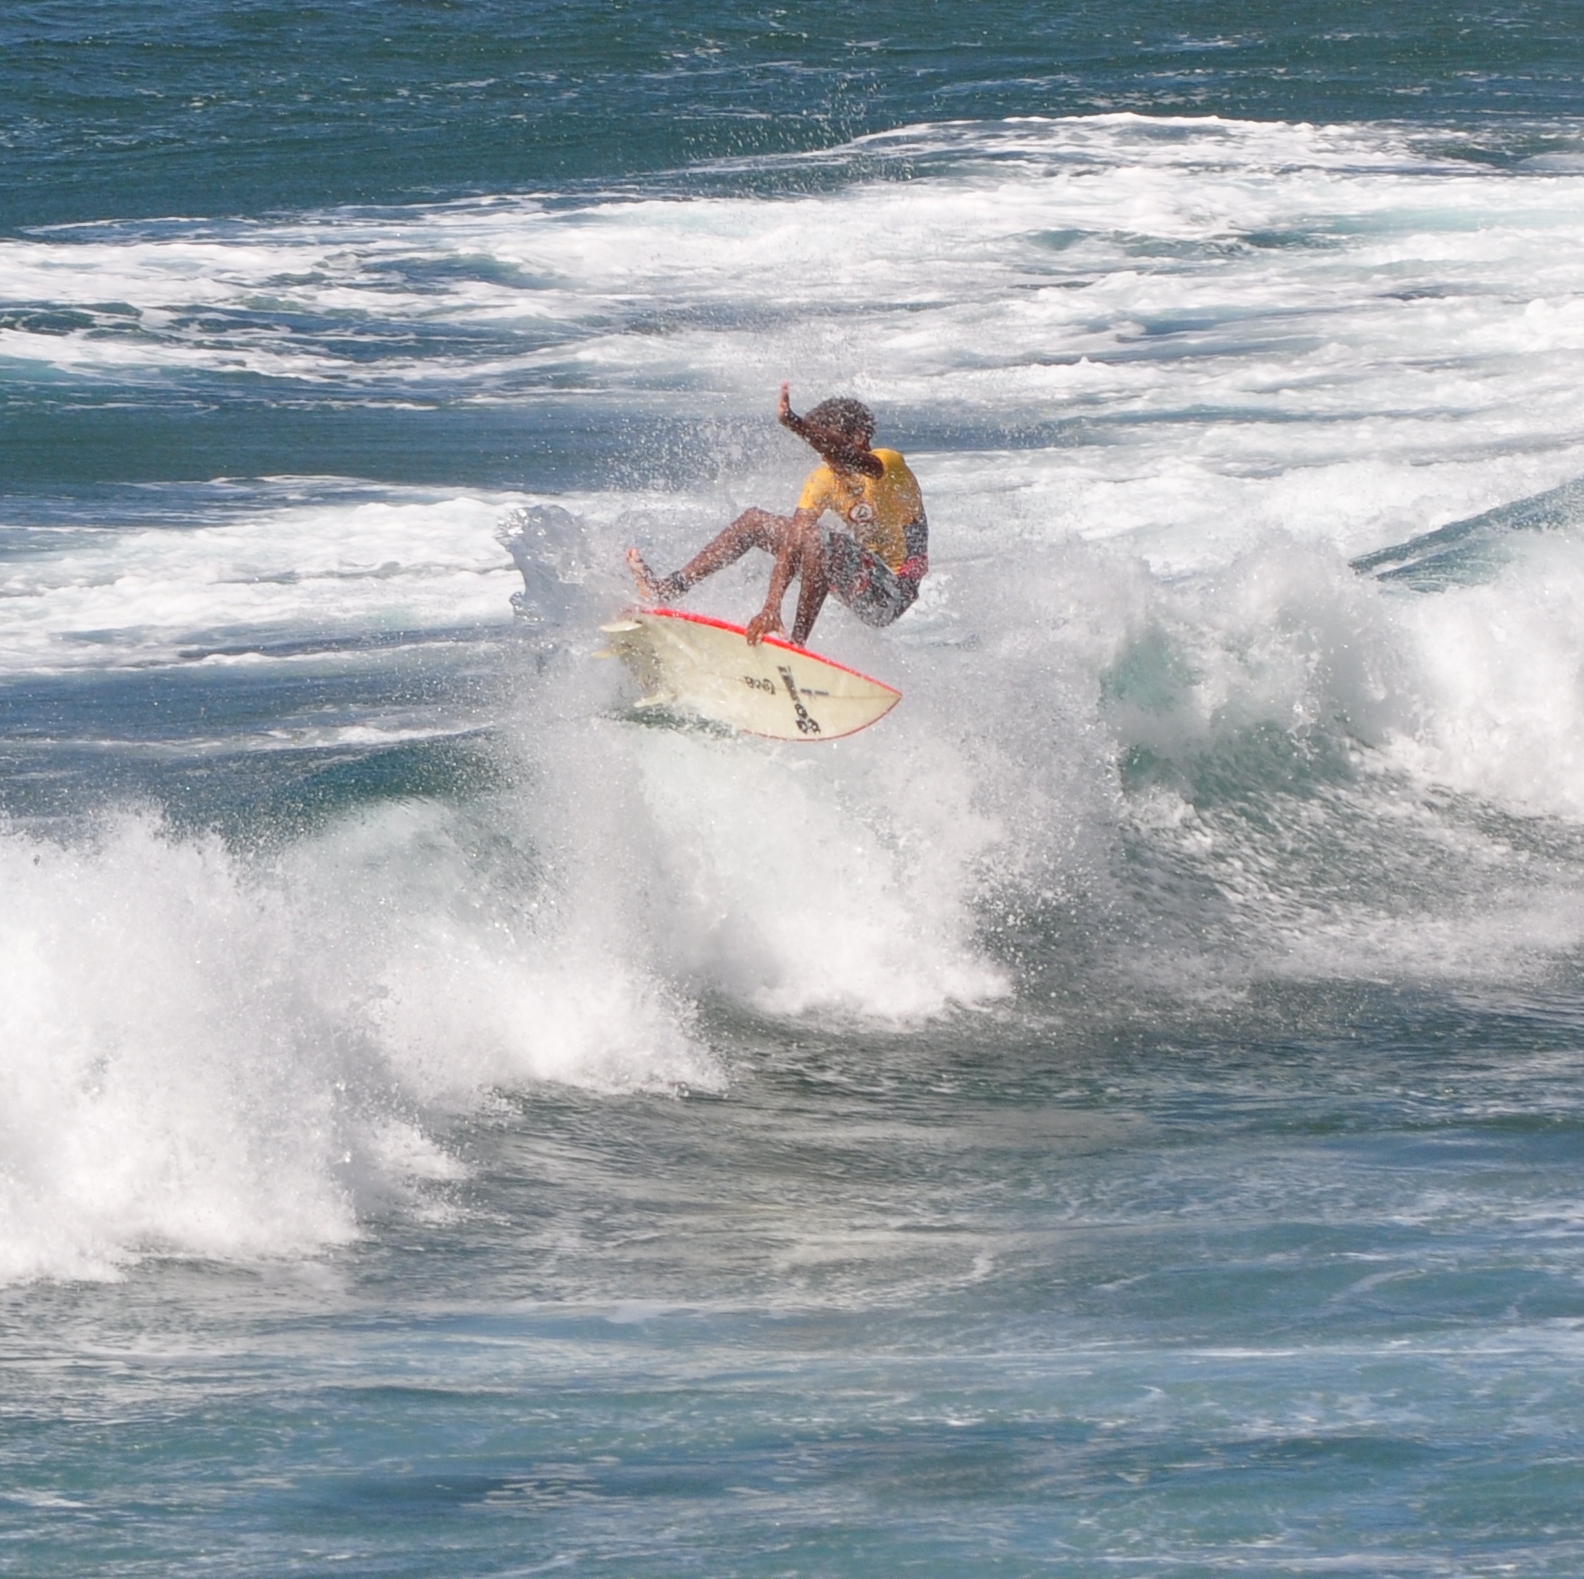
x: 834, y: 881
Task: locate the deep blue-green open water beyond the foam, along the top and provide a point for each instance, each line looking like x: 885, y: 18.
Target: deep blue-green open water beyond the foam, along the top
x: 235, y: 112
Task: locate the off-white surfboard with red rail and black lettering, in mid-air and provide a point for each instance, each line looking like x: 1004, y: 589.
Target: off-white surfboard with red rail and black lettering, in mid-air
x: 706, y: 668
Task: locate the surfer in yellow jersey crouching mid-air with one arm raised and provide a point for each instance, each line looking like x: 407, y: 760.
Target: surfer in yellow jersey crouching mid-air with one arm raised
x: 874, y: 561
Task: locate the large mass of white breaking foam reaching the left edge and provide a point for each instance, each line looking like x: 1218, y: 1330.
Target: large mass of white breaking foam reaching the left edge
x: 215, y: 1060
